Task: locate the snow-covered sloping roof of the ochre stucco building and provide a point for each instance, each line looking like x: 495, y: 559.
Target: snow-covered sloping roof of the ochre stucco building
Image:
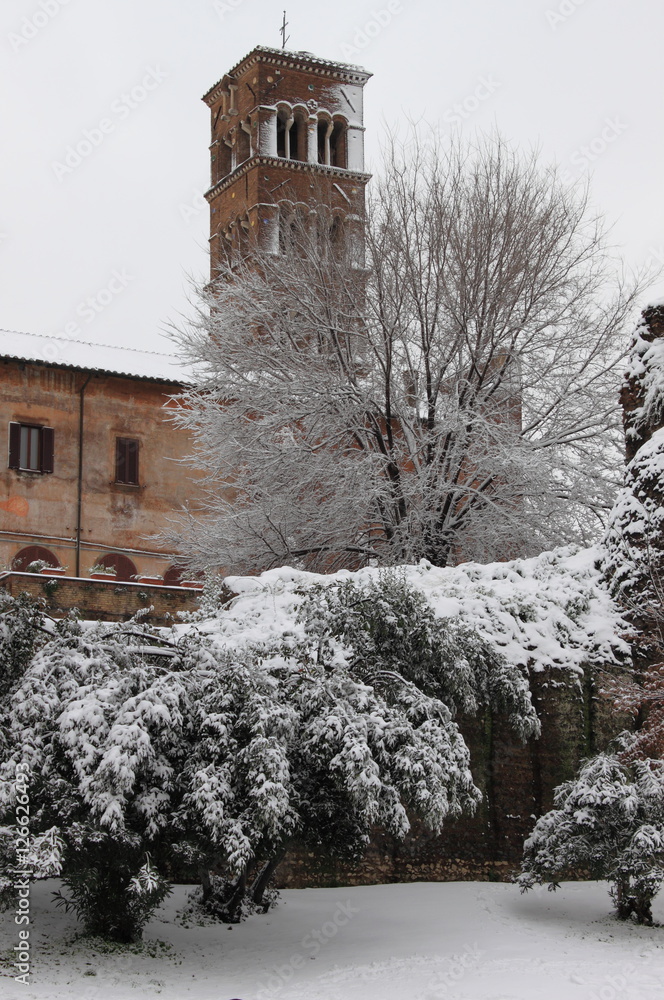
x: 66, y: 352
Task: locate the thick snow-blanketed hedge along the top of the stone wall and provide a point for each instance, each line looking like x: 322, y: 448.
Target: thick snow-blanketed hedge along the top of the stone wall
x: 551, y: 611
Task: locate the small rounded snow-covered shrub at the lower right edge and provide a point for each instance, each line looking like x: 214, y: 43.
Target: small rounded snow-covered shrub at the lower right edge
x: 607, y: 823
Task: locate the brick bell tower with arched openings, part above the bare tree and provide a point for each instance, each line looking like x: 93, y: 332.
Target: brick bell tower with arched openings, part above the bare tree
x: 287, y: 137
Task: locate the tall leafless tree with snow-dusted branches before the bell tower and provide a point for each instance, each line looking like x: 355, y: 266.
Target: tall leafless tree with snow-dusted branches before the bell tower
x: 455, y: 395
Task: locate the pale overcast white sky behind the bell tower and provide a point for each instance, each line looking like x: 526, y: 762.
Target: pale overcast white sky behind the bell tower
x: 583, y: 79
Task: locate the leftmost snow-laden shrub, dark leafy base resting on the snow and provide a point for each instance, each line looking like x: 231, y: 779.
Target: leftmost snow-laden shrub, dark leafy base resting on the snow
x: 95, y: 728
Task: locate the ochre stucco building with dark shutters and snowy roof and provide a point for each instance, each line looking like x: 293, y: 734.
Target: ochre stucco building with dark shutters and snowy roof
x: 93, y: 469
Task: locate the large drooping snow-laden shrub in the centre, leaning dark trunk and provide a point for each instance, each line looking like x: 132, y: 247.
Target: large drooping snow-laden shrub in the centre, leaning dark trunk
x: 291, y: 745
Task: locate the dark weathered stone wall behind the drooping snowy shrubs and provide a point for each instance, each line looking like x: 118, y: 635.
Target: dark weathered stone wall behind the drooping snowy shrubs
x: 517, y: 781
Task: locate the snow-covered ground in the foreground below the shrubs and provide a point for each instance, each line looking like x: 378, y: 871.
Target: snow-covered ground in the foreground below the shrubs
x: 425, y: 941
